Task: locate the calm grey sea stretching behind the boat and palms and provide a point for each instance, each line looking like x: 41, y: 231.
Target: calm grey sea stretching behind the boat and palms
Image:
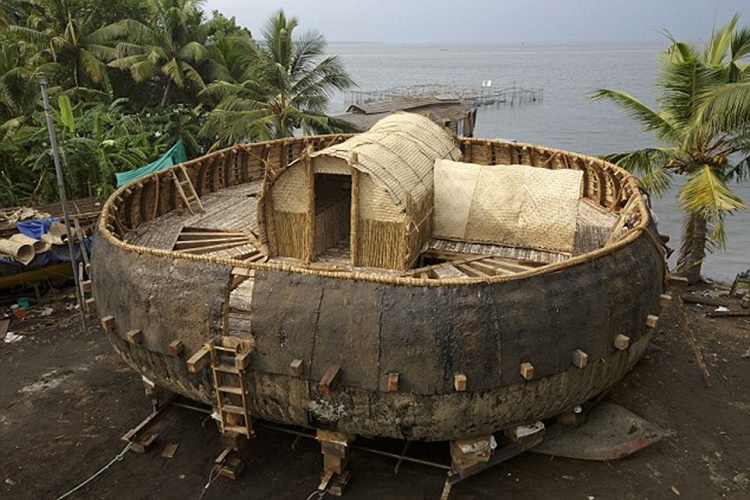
x: 565, y: 118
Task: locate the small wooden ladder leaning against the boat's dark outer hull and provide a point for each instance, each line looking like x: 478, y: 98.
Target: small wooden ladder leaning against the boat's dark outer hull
x: 229, y: 359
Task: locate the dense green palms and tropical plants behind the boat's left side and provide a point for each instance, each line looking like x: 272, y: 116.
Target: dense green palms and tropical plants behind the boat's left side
x: 125, y: 77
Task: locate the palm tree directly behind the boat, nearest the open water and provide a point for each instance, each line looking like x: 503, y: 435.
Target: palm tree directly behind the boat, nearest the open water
x: 286, y: 88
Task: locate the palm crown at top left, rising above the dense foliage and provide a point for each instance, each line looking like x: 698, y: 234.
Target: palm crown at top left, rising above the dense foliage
x: 173, y: 47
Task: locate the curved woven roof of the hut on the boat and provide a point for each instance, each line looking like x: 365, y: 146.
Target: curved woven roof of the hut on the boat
x: 399, y: 153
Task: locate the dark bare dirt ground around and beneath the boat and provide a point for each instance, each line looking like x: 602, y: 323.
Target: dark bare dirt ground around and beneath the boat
x: 66, y: 399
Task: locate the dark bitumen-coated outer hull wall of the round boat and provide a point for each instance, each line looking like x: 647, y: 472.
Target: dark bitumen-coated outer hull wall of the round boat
x: 372, y: 328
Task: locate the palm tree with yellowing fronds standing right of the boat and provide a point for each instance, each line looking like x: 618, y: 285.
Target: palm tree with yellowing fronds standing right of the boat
x: 702, y: 133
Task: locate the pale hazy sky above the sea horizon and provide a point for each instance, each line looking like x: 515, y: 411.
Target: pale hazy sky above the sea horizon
x: 492, y: 21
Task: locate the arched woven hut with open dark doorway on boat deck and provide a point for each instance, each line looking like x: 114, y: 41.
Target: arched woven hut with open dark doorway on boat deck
x: 371, y: 196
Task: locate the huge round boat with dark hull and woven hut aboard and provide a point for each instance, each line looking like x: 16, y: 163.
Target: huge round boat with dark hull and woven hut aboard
x: 354, y: 296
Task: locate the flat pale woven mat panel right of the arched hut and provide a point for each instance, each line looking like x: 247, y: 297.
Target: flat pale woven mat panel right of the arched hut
x: 512, y: 205
